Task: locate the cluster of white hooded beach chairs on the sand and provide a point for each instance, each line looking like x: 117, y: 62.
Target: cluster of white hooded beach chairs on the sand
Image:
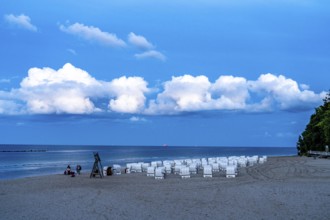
x: 187, y: 167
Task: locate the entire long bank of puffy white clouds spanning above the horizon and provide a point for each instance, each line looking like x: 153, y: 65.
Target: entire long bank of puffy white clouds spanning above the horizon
x: 71, y: 90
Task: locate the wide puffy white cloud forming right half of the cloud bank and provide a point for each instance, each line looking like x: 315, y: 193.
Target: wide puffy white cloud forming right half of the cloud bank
x: 189, y: 93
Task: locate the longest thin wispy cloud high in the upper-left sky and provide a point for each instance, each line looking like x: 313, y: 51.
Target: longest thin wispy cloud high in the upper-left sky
x: 93, y: 34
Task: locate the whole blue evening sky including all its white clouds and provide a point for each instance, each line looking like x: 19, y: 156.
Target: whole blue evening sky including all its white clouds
x: 142, y: 72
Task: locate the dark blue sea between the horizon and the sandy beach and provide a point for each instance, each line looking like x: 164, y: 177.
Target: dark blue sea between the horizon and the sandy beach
x: 20, y: 161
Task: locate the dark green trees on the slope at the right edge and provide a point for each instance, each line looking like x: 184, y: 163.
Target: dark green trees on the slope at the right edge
x: 317, y: 133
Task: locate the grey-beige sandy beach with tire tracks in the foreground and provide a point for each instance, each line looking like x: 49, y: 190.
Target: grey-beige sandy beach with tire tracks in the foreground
x: 282, y: 188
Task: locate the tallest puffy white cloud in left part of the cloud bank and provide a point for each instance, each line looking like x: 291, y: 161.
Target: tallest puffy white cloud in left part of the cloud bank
x: 67, y: 90
